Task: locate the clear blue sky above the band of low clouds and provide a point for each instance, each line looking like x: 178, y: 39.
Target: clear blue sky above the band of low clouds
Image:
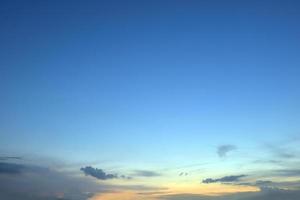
x: 110, y: 79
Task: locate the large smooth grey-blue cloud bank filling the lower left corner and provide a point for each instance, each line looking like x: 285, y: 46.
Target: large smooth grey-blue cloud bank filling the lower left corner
x: 32, y: 182
